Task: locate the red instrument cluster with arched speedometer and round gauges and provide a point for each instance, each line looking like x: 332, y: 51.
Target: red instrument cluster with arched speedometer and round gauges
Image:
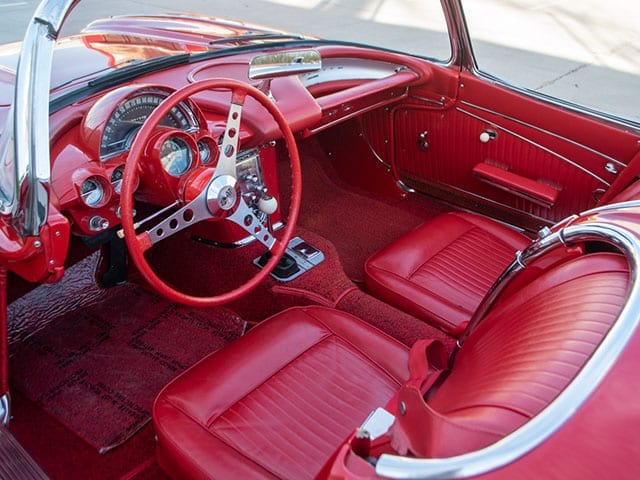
x: 184, y: 141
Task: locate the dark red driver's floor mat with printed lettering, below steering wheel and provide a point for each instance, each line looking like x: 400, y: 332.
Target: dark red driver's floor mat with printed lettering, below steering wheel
x: 104, y: 355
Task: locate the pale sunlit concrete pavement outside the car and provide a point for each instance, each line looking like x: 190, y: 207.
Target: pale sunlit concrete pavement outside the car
x: 594, y: 59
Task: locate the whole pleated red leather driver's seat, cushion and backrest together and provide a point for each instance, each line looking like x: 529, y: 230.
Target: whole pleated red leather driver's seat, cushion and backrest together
x: 281, y: 400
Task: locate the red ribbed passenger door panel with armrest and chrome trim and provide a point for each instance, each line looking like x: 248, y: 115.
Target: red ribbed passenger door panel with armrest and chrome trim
x: 543, y: 163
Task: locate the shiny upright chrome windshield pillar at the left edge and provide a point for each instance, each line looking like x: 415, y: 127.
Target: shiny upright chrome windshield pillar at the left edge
x: 24, y: 146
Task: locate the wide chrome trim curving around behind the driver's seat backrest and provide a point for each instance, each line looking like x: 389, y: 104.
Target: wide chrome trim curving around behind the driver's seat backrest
x: 547, y: 422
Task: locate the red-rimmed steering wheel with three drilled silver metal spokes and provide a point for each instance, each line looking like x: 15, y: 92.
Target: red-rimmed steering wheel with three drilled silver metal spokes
x: 220, y: 198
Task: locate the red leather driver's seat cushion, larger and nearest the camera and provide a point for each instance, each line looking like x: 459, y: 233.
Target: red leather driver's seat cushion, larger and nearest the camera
x: 279, y: 401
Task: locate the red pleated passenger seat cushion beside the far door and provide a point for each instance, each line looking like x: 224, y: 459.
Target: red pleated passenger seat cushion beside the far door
x: 441, y: 270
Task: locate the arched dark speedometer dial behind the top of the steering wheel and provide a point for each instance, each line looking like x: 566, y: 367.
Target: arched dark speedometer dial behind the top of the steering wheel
x: 128, y: 117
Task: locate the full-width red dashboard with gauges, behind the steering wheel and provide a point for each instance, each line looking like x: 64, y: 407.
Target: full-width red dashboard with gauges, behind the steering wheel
x: 91, y: 138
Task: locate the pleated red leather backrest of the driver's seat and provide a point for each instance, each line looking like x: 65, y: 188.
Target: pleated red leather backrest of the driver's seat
x: 526, y: 351
